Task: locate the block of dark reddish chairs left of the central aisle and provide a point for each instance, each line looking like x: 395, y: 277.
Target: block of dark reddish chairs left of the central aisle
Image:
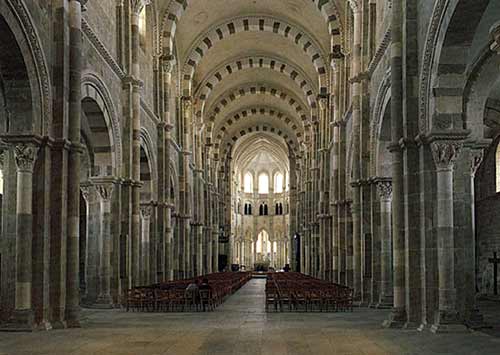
x: 172, y: 296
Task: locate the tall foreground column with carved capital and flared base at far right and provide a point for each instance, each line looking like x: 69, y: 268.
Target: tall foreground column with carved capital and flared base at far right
x: 445, y: 152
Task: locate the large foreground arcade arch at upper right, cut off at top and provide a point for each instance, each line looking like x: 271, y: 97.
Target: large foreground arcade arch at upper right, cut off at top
x: 447, y: 38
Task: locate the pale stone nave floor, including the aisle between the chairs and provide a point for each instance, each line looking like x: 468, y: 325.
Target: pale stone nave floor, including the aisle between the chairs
x: 240, y: 326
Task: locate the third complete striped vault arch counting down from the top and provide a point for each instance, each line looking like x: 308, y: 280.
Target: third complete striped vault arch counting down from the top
x: 256, y: 89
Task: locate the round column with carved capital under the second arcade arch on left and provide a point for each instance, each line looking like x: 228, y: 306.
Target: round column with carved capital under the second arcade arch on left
x: 104, y: 188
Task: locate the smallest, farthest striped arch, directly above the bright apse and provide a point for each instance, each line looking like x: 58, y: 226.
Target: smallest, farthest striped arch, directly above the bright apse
x: 227, y: 142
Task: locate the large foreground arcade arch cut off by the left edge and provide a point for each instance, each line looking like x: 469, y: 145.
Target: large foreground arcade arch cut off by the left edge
x: 27, y: 59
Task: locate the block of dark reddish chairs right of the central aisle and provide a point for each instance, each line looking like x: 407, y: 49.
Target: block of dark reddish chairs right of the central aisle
x: 298, y: 292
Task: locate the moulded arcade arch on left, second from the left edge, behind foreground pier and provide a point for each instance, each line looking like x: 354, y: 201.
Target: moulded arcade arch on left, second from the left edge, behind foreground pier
x: 93, y: 88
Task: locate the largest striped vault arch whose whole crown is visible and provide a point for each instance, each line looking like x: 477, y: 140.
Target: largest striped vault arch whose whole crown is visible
x: 256, y: 24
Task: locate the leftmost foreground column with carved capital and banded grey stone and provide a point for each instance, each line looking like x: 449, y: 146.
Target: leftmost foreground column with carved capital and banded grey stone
x: 23, y: 316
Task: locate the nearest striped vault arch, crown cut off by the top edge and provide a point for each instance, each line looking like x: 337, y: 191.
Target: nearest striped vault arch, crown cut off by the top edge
x: 176, y: 9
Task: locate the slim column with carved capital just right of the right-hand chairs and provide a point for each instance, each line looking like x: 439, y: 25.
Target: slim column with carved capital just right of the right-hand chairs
x: 386, y: 289
